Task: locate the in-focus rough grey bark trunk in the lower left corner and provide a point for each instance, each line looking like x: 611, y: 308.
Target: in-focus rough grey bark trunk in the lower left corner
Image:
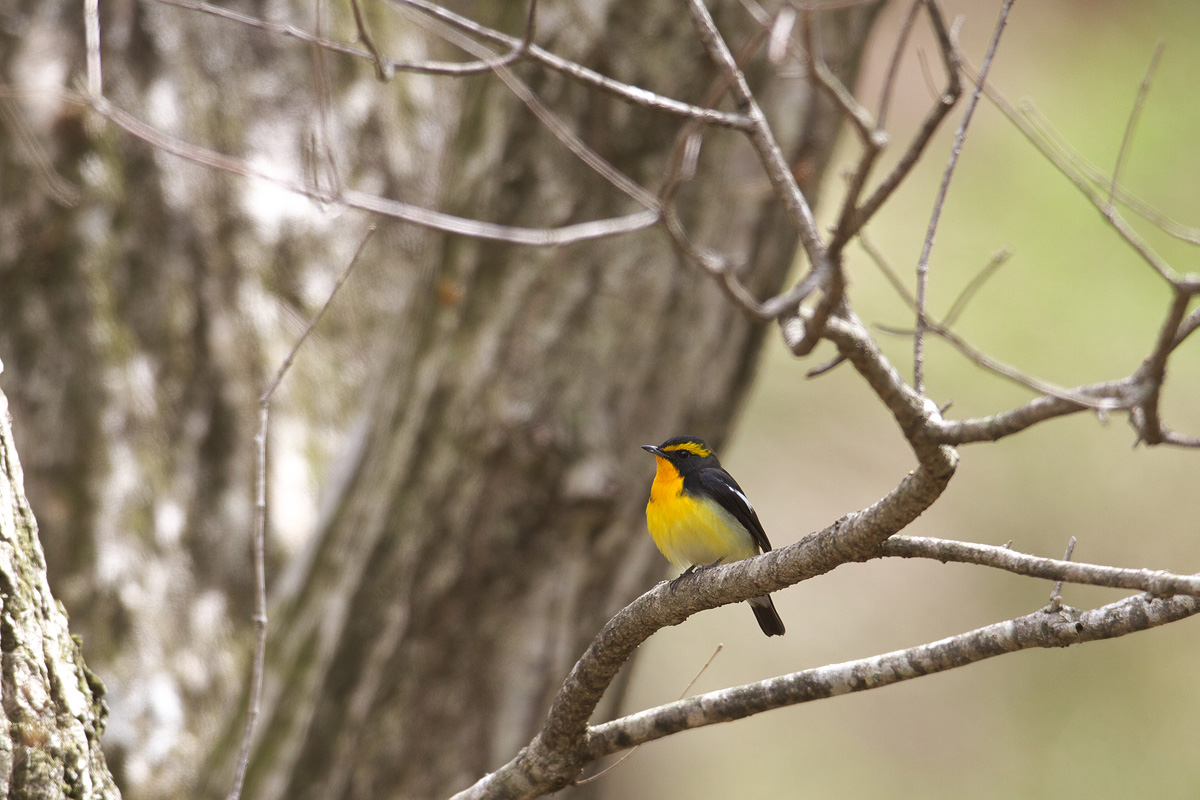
x: 55, y: 708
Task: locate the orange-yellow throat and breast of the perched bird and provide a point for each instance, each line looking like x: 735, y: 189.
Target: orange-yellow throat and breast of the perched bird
x: 692, y: 532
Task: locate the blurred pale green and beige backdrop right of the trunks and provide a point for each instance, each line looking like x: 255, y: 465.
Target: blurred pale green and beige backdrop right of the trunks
x: 1073, y: 305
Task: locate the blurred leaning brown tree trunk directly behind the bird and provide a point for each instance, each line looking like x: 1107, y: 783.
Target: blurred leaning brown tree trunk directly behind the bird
x: 494, y: 516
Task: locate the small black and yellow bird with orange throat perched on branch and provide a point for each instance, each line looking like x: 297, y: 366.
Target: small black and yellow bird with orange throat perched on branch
x: 700, y: 518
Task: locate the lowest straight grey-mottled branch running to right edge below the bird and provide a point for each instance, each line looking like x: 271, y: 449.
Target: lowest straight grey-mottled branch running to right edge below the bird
x: 1037, y: 630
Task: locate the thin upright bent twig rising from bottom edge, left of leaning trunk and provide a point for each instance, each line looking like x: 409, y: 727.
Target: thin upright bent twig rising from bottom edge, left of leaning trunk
x: 260, y: 537
